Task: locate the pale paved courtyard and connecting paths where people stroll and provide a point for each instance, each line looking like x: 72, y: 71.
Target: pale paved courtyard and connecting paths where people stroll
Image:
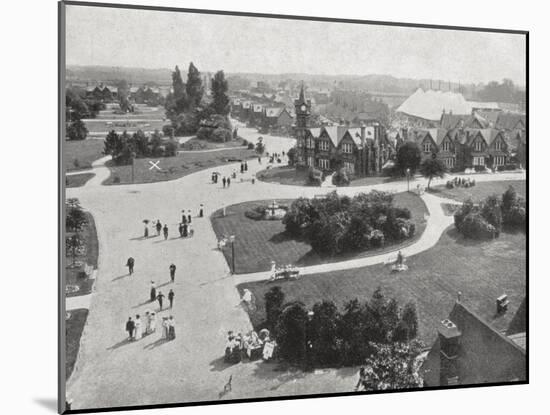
x: 111, y: 372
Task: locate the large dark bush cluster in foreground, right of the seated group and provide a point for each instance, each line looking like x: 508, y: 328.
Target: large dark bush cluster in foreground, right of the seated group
x: 327, y: 336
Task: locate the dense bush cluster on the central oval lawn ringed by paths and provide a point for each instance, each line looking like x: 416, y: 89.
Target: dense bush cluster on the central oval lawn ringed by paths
x: 338, y: 224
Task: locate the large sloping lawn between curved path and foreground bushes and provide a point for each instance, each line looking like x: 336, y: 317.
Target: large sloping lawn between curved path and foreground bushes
x: 482, y: 271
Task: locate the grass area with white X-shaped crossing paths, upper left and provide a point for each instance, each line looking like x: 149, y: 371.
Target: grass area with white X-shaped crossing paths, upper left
x: 174, y: 167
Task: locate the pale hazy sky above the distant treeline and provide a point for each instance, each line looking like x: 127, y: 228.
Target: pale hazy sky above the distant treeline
x: 157, y: 39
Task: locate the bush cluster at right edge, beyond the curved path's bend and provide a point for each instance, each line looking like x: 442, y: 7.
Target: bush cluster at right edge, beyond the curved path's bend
x: 485, y: 221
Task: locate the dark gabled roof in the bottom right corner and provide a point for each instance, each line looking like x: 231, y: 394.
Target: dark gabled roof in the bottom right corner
x: 485, y: 355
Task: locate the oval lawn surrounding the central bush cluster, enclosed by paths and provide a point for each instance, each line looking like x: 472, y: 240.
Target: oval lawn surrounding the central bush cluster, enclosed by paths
x: 258, y: 243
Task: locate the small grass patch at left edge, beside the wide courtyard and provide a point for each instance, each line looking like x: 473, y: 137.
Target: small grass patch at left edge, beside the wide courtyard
x: 75, y: 275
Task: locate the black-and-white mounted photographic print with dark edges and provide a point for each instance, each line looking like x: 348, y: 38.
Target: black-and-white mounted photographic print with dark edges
x: 265, y: 207
